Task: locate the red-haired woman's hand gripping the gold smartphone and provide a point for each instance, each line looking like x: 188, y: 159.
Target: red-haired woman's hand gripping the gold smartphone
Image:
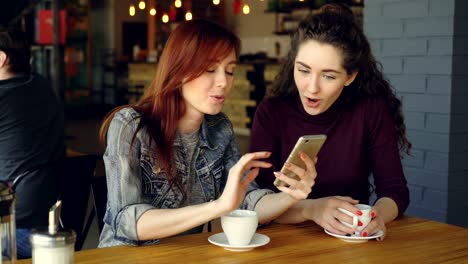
x: 299, y: 189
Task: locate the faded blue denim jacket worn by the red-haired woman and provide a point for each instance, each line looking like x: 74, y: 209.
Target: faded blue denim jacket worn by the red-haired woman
x: 136, y: 184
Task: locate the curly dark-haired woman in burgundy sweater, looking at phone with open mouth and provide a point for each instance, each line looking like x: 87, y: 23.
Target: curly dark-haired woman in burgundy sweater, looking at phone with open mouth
x: 331, y: 84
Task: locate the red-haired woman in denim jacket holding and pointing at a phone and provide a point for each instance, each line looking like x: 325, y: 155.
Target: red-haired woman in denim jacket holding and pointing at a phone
x: 172, y: 162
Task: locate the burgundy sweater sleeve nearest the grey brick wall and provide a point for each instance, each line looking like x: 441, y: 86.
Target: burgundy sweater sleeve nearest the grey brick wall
x: 387, y: 170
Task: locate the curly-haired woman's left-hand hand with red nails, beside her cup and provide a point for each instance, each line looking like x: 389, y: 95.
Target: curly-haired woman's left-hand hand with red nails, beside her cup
x: 325, y: 213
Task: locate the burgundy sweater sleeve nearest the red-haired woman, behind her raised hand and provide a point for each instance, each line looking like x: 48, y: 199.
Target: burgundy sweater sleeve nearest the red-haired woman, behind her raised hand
x: 262, y: 138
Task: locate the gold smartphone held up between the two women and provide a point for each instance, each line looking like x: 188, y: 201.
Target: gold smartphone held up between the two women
x: 310, y: 145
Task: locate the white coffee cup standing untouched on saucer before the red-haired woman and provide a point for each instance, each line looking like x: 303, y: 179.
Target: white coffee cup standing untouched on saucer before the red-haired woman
x: 239, y: 226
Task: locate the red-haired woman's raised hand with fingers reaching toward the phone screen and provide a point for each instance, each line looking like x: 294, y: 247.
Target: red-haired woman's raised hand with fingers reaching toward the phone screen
x: 236, y: 185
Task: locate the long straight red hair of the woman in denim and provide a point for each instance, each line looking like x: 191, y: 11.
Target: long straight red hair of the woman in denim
x: 191, y: 49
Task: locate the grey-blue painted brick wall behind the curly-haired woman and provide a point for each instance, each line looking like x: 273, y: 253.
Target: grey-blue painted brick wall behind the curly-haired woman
x: 423, y: 48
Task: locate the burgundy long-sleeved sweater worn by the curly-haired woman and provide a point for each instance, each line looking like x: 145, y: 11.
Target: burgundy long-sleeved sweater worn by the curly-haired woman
x: 361, y: 140
